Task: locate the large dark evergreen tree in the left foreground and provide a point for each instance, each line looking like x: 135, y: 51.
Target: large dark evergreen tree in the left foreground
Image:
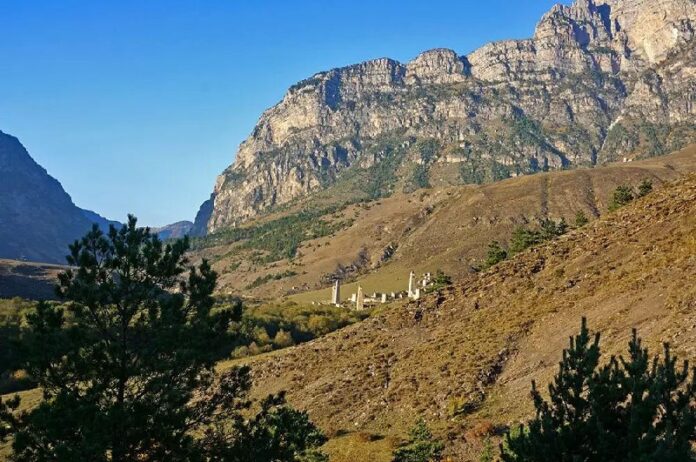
x: 127, y: 366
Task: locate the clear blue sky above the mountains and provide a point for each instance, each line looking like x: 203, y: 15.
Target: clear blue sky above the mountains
x: 136, y: 106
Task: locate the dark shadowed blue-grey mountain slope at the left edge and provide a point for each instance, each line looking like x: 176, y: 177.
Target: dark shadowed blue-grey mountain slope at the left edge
x: 38, y: 219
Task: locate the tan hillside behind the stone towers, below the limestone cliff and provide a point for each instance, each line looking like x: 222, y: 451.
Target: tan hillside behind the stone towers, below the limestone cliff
x: 444, y: 228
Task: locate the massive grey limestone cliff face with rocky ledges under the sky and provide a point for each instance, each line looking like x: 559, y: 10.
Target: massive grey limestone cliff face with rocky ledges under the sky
x: 598, y: 81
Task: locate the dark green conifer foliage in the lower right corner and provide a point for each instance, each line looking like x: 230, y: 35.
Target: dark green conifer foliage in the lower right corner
x: 629, y: 409
